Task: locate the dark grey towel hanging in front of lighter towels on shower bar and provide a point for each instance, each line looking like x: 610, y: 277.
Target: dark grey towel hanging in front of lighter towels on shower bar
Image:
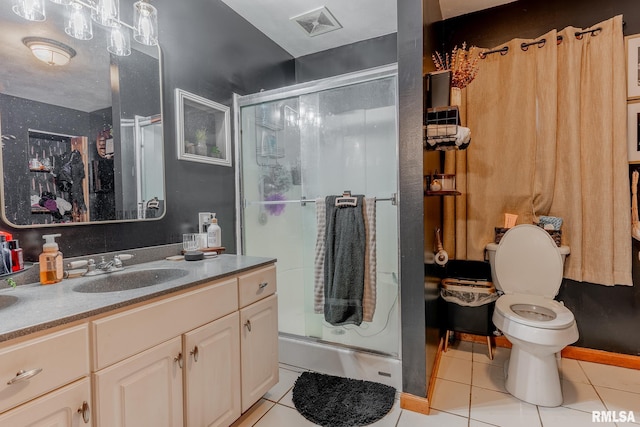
x: 344, y: 263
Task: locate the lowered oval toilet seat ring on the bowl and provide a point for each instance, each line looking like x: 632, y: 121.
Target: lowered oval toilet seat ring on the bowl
x: 533, y: 310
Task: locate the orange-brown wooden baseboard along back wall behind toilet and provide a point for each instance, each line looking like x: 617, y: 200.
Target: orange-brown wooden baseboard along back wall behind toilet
x: 571, y: 352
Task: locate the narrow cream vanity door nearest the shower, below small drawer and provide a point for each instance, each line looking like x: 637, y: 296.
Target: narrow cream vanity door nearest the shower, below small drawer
x: 259, y: 349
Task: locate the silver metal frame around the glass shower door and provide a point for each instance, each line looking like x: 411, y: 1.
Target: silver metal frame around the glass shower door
x: 292, y: 91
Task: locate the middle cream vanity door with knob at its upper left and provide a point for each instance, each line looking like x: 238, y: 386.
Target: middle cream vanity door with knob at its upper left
x: 212, y: 373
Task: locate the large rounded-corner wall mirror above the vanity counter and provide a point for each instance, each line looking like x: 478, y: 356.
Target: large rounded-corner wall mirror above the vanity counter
x: 81, y: 142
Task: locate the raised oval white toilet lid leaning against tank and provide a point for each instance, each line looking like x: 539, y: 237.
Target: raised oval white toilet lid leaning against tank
x: 528, y: 261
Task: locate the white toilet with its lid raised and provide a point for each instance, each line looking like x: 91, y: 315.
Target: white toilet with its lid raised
x: 527, y: 266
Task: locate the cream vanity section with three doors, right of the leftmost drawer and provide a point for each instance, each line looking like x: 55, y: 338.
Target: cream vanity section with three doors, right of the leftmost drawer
x: 188, y: 352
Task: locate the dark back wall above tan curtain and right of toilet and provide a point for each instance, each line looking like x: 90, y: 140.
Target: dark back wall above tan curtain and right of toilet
x: 607, y: 317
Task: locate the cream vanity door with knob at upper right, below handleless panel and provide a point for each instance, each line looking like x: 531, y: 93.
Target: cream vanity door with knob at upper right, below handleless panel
x: 144, y: 390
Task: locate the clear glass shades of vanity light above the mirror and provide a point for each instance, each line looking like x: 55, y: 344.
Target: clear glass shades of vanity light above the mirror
x: 104, y: 12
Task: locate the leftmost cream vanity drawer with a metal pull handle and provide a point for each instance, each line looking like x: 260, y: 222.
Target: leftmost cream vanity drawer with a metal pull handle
x: 62, y: 356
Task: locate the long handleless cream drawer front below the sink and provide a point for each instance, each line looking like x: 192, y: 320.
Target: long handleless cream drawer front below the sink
x: 124, y: 334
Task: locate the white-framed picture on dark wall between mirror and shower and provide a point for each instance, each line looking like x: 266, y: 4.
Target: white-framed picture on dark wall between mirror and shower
x: 203, y: 129
